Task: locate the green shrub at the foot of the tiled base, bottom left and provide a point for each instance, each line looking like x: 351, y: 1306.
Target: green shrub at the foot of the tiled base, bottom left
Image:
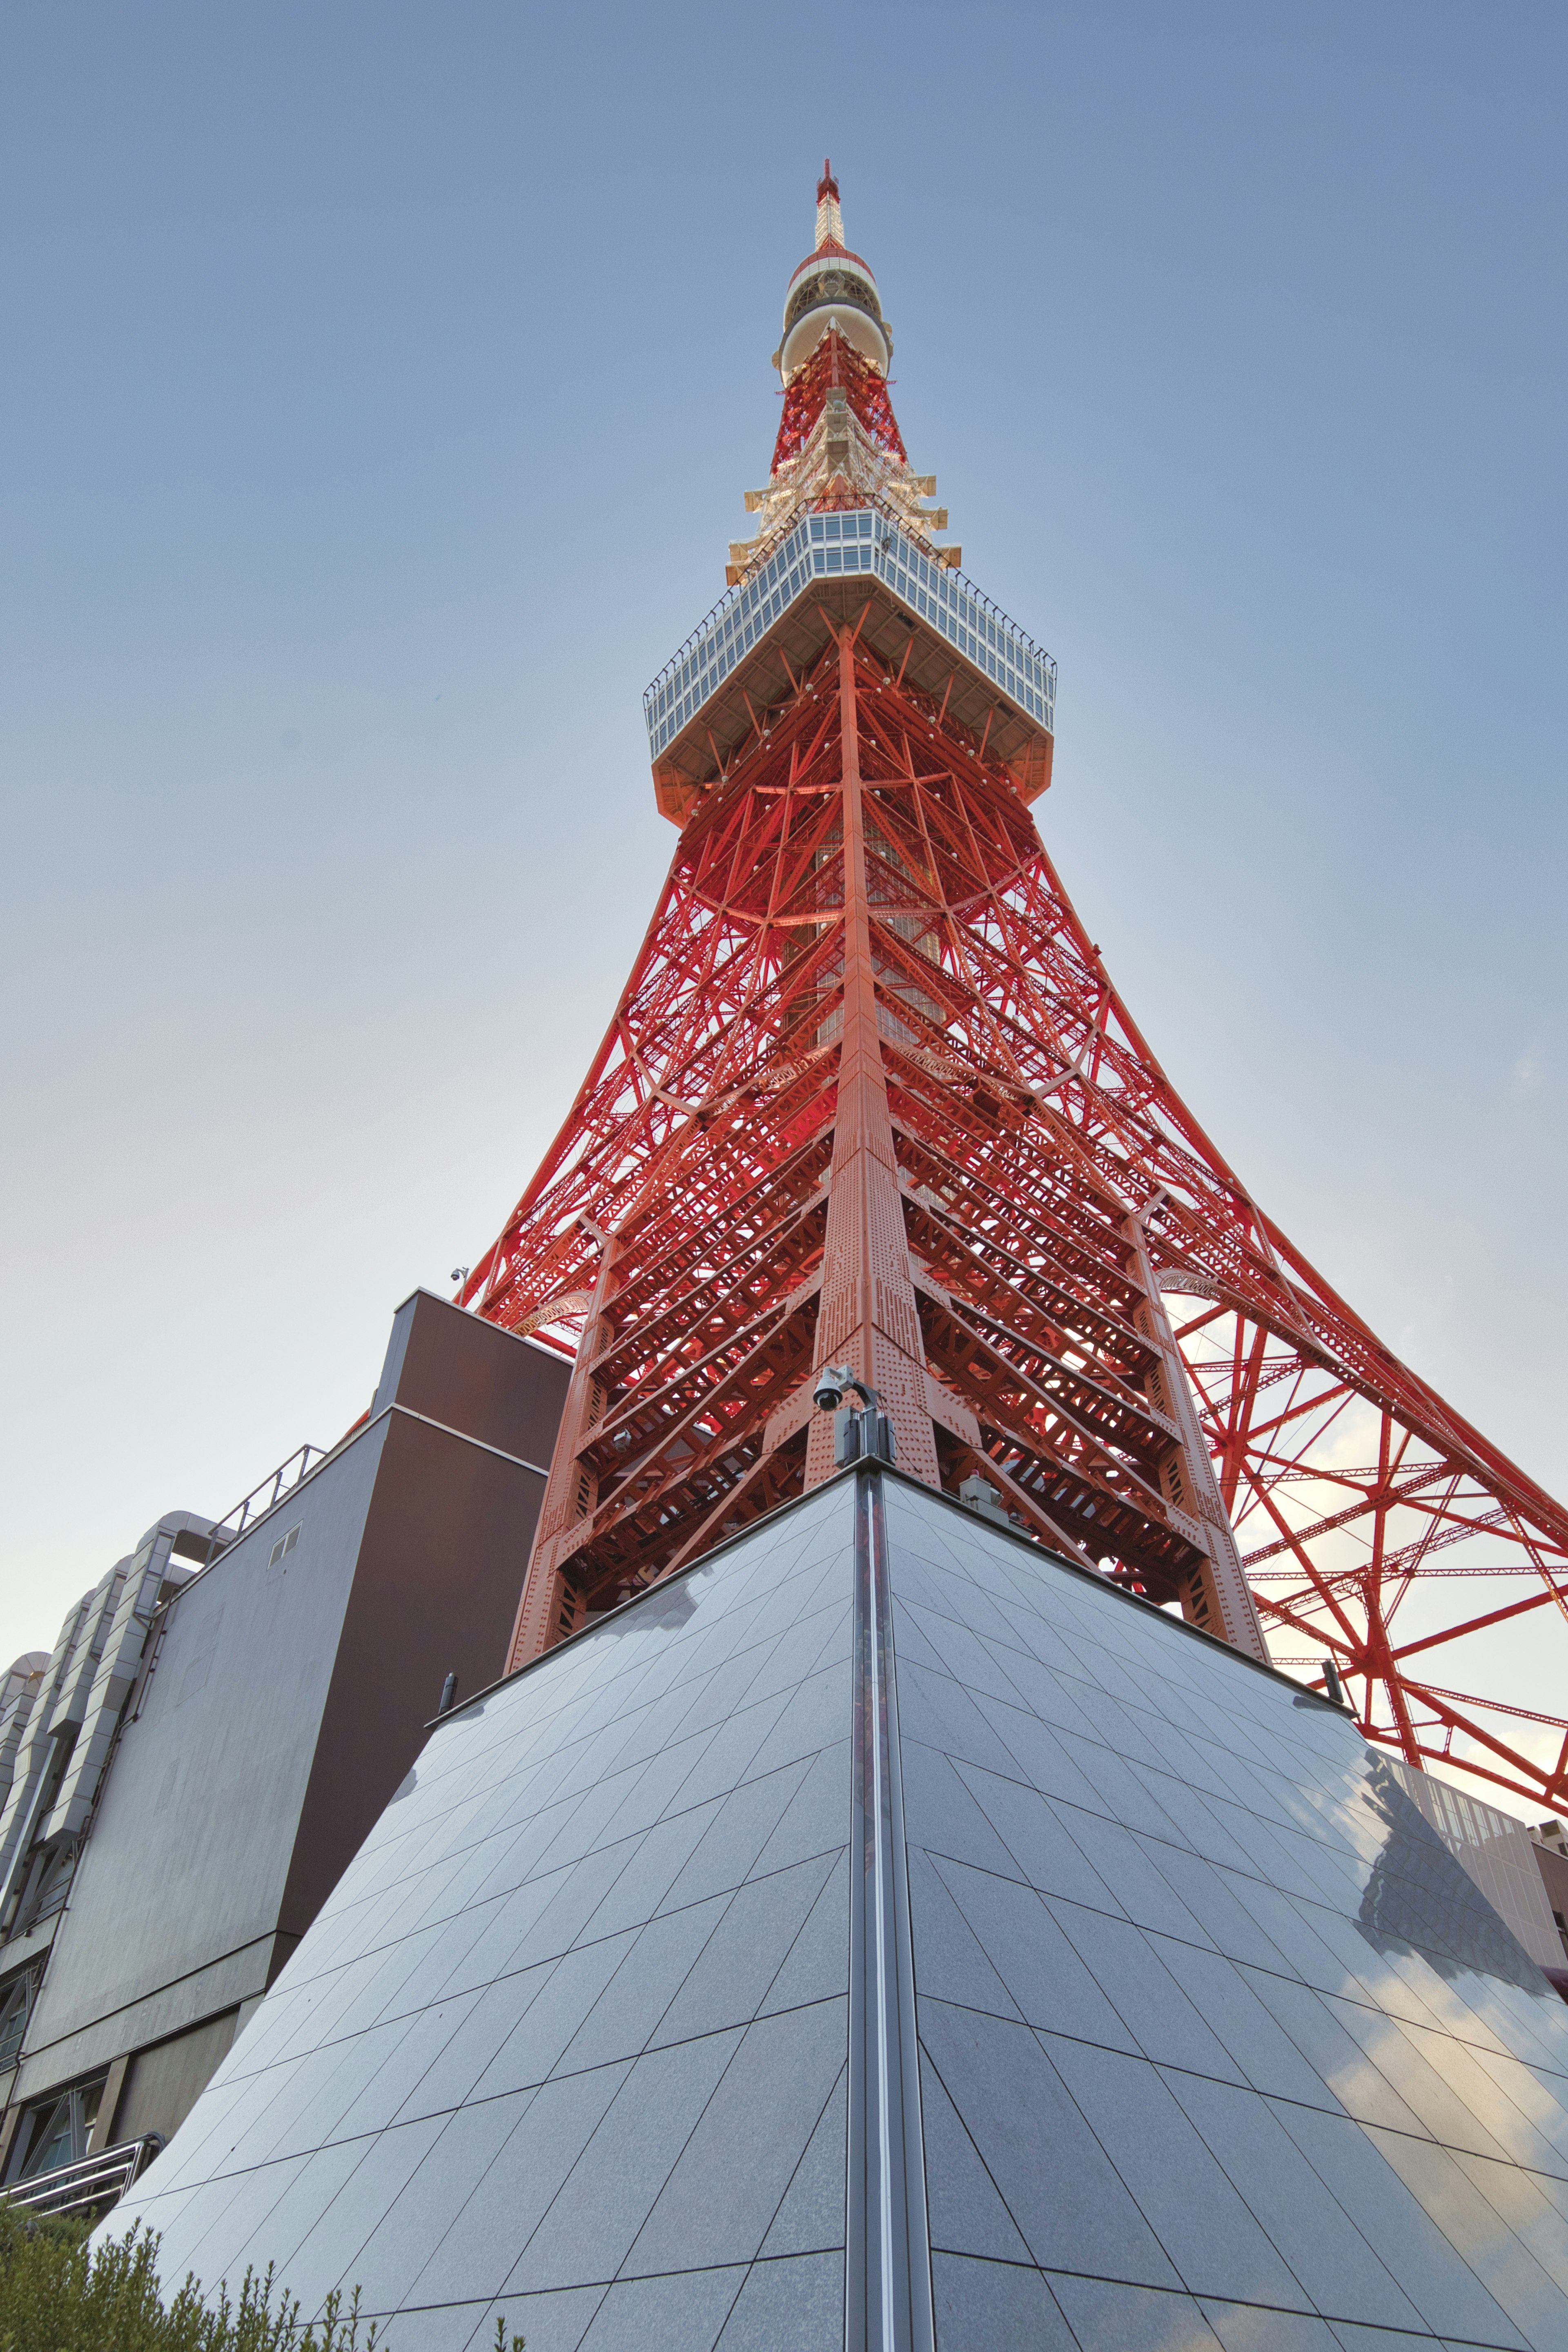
x: 58, y: 2294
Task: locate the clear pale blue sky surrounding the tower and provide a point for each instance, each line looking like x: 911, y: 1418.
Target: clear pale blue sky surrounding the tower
x: 380, y: 389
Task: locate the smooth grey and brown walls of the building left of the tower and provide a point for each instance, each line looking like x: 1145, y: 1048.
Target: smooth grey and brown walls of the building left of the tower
x: 288, y: 1702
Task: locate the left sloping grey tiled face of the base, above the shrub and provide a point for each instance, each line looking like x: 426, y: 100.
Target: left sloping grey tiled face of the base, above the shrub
x: 570, y: 2038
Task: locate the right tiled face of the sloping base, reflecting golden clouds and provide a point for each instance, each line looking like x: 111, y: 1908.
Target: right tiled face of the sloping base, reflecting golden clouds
x: 1221, y: 2047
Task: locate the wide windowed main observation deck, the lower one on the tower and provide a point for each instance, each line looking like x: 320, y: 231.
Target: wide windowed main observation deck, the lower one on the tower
x: 989, y: 671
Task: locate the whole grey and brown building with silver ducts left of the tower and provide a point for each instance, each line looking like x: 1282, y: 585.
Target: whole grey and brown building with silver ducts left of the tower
x: 225, y: 1716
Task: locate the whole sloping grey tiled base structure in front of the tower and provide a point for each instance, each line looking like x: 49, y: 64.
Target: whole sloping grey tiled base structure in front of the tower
x: 887, y: 1937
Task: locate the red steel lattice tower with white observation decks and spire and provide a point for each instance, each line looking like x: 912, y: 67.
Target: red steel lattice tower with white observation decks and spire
x: 871, y: 1100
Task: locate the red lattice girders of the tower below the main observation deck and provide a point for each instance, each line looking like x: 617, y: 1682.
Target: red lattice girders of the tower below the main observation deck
x: 864, y: 855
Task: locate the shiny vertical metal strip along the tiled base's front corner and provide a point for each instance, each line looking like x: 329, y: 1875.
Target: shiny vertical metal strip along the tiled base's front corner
x: 887, y: 2271
